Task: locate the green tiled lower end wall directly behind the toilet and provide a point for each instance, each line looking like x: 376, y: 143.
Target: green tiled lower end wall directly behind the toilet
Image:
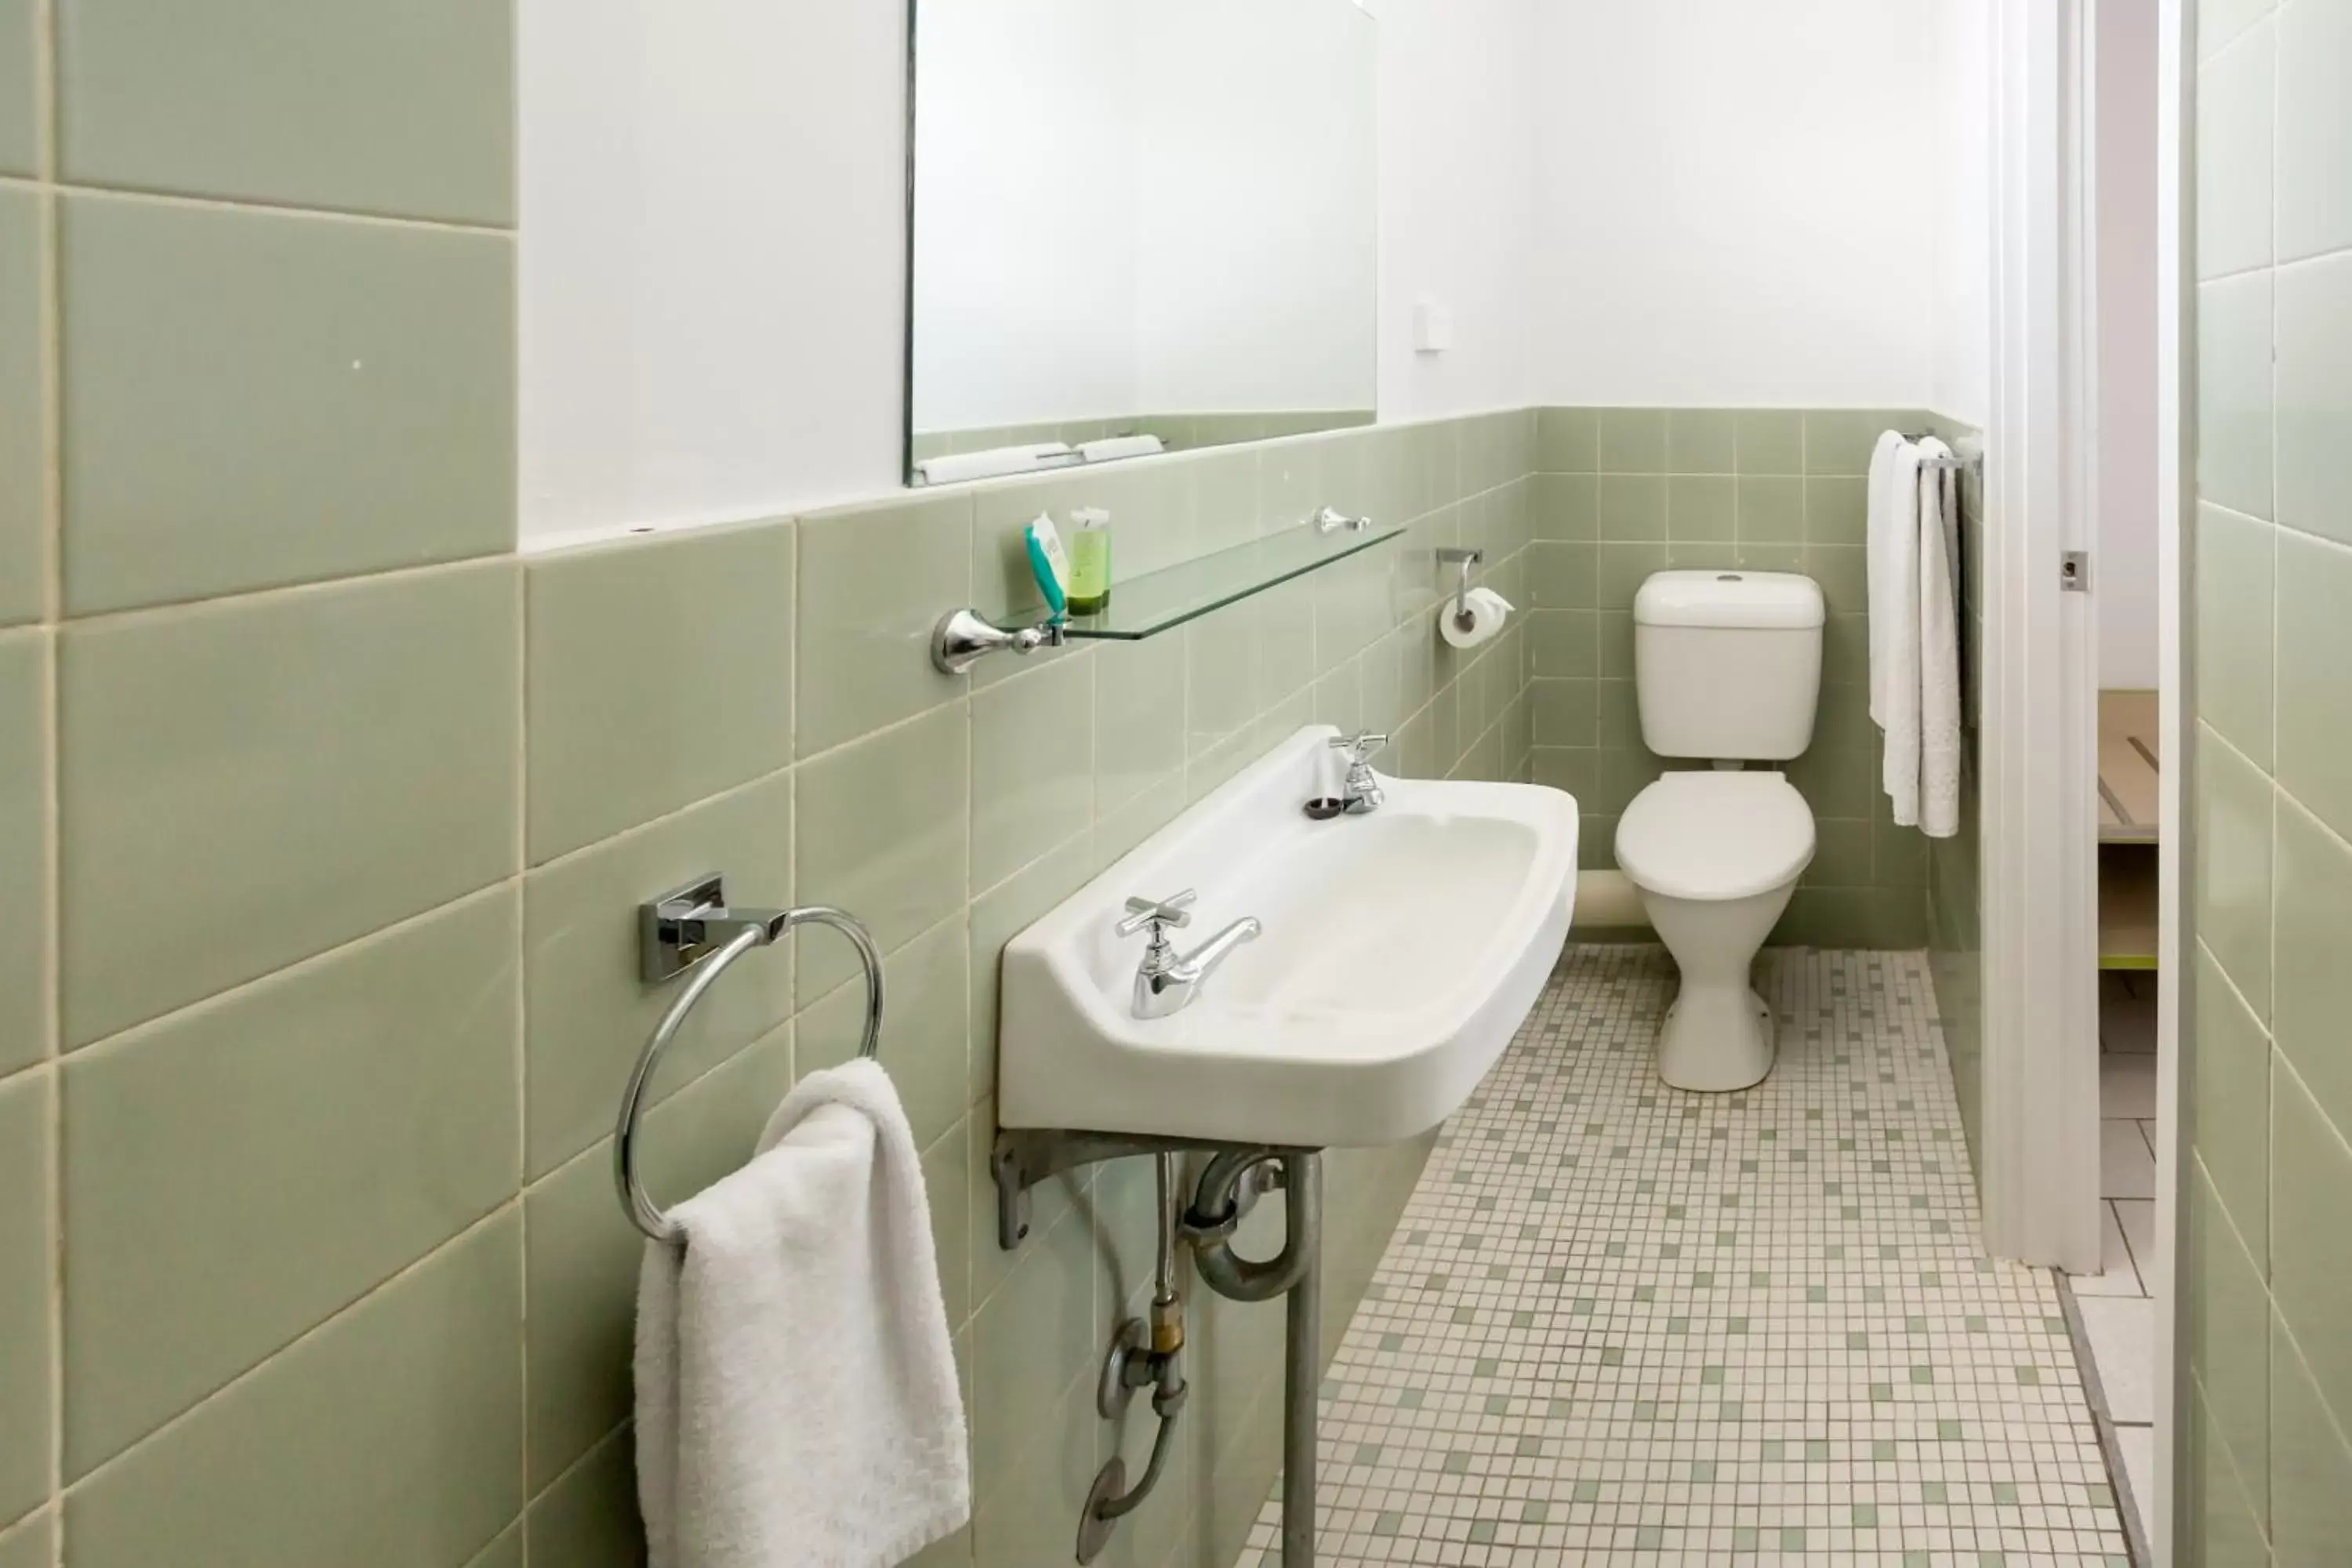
x: 1629, y: 492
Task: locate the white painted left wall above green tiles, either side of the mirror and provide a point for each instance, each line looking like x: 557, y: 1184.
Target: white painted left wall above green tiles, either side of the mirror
x: 714, y: 246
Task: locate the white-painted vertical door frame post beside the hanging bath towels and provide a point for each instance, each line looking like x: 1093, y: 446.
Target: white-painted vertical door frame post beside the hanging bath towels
x: 2040, y: 702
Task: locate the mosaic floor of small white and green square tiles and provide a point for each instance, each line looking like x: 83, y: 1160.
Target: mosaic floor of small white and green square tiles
x: 1622, y: 1325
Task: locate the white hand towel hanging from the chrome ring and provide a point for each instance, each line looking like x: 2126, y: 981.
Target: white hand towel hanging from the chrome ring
x: 796, y: 1388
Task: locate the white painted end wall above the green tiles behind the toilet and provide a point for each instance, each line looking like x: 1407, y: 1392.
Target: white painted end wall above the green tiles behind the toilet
x: 1737, y: 203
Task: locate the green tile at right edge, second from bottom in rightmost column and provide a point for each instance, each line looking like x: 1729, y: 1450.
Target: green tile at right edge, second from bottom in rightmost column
x: 2311, y: 1249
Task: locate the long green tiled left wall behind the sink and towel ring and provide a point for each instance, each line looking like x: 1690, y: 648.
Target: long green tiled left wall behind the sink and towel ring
x: 326, y: 817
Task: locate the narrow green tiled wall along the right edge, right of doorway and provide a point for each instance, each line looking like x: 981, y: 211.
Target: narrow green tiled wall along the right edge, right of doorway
x: 2266, y: 1289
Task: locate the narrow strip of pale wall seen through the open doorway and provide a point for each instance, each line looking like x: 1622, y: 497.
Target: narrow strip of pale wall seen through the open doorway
x: 2125, y: 577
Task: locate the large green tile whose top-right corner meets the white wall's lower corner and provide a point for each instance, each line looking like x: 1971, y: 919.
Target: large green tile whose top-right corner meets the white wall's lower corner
x: 253, y: 782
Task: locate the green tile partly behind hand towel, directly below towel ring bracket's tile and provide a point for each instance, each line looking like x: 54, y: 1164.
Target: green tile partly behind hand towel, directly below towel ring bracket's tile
x: 582, y: 1252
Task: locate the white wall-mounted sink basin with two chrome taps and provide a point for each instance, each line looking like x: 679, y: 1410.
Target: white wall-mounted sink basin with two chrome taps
x: 1403, y: 951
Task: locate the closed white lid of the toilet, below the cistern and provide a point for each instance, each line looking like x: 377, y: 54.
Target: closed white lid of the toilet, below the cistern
x: 1716, y: 836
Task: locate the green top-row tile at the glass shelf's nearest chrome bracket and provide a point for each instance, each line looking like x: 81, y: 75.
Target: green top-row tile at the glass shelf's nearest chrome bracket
x: 871, y: 589
